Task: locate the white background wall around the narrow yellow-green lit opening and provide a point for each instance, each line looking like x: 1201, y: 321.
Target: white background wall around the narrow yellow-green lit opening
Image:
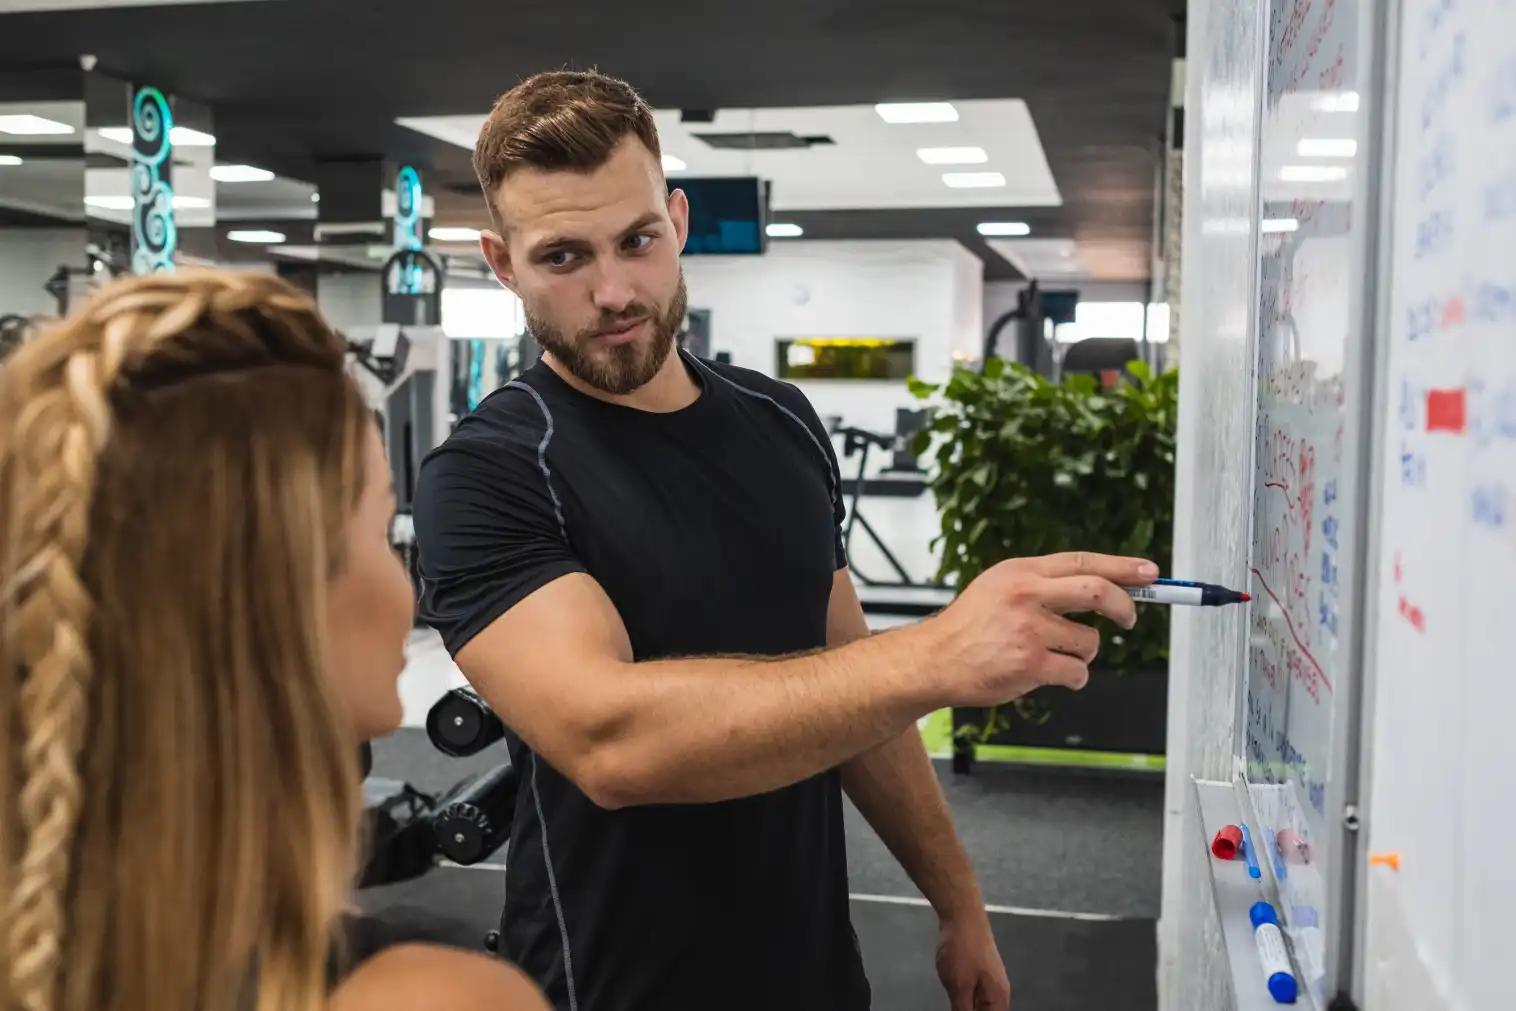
x: 932, y: 292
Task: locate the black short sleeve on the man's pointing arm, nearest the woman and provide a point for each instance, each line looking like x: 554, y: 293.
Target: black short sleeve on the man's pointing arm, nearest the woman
x: 489, y: 533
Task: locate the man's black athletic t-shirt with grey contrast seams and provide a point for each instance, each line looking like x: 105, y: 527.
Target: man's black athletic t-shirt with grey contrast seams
x: 715, y: 530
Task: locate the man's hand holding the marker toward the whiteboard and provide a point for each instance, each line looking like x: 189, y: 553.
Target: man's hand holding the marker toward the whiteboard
x: 1006, y: 633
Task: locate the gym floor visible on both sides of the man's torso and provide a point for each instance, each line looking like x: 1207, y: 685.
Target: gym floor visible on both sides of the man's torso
x: 1070, y: 862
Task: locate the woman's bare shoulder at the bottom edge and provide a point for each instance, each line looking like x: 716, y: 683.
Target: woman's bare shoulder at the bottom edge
x: 431, y: 978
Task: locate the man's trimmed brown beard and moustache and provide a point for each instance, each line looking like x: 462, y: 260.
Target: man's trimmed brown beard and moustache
x: 627, y: 368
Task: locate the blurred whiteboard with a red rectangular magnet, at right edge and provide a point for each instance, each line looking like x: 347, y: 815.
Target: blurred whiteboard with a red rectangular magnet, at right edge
x: 1446, y: 613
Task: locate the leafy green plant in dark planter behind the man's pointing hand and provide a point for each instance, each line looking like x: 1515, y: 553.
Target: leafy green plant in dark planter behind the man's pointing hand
x: 1023, y: 466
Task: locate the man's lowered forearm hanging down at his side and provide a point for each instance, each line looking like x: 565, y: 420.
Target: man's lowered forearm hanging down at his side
x: 895, y: 787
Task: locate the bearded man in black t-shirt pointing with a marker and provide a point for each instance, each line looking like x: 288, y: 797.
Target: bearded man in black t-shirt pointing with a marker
x: 636, y: 559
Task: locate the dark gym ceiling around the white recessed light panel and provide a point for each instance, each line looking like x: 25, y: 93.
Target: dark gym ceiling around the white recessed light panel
x: 296, y: 81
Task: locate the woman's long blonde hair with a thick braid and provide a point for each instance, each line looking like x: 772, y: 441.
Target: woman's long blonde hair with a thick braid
x: 180, y: 798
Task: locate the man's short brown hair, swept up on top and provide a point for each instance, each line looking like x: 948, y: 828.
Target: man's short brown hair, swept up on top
x: 560, y: 121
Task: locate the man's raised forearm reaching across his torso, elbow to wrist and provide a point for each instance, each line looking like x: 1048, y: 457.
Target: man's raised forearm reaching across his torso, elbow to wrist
x: 697, y: 731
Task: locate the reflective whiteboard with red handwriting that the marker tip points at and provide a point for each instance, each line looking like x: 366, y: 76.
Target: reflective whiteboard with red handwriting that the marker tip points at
x: 1314, y: 254
